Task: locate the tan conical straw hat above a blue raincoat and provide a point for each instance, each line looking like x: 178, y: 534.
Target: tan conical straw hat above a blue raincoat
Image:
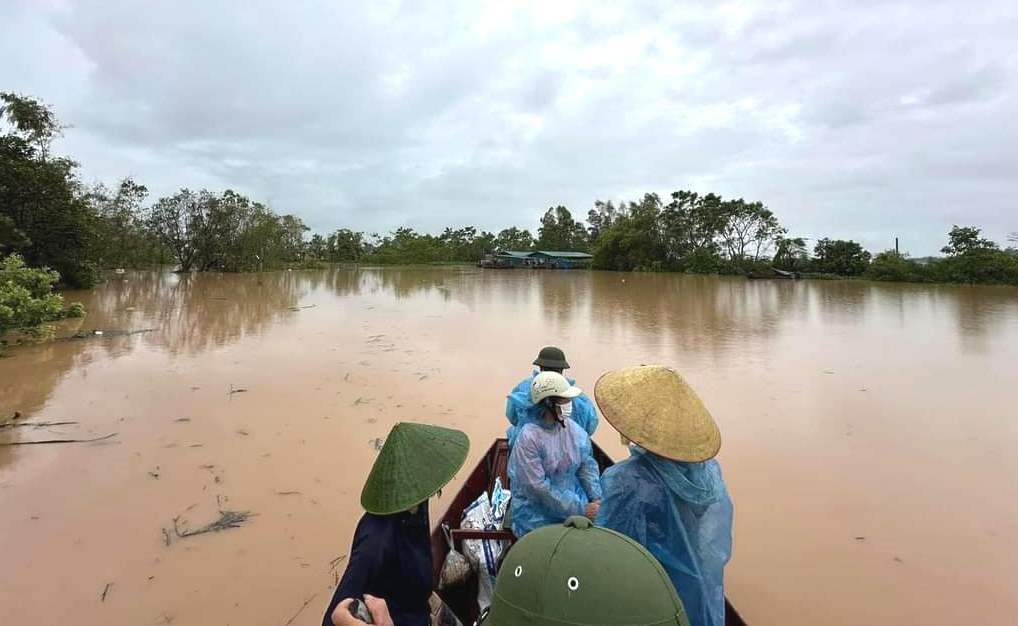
x: 654, y: 408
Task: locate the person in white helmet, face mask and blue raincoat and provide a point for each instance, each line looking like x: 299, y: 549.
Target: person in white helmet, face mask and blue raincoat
x: 552, y: 470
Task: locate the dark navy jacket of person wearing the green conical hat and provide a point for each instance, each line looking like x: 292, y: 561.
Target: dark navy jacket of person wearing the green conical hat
x: 391, y: 559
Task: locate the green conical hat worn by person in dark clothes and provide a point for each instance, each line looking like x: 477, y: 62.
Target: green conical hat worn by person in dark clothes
x: 416, y: 462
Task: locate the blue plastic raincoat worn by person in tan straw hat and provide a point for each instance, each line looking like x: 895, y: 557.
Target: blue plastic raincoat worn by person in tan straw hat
x: 683, y: 515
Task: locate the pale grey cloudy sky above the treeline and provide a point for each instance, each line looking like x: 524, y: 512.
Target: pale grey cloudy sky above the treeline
x: 857, y: 120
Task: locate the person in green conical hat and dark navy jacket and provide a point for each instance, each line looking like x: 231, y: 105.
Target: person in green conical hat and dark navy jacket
x: 391, y: 555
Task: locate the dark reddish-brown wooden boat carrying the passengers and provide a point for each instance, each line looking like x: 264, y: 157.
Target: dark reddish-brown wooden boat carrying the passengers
x: 463, y: 600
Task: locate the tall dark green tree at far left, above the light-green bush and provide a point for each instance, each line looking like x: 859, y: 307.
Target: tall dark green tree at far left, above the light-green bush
x: 48, y: 221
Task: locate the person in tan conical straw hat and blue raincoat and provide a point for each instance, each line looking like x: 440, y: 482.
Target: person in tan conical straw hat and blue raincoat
x: 669, y: 495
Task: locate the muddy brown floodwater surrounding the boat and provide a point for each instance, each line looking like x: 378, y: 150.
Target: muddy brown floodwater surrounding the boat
x: 870, y: 433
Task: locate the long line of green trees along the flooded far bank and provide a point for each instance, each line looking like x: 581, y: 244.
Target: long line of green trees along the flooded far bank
x: 52, y: 220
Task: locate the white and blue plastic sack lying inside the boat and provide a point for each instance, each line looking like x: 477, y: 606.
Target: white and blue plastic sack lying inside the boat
x: 486, y: 514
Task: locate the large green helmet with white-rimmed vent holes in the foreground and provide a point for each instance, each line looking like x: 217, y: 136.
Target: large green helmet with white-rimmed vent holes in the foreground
x: 580, y: 575
